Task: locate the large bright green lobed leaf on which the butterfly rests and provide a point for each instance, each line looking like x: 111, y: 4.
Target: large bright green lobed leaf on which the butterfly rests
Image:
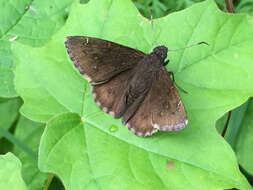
x: 217, y: 78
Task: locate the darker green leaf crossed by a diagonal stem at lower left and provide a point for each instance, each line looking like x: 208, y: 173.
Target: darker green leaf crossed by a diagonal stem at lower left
x: 29, y: 133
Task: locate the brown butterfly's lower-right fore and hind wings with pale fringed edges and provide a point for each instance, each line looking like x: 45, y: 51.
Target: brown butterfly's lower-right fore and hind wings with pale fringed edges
x: 162, y: 109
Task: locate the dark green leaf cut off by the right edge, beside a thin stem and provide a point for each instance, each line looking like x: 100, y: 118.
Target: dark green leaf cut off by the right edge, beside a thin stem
x: 244, y: 143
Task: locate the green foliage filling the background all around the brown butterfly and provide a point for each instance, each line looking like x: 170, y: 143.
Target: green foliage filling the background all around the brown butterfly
x: 62, y: 131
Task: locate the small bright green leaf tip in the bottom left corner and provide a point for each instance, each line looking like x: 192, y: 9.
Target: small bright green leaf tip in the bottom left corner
x: 10, y: 173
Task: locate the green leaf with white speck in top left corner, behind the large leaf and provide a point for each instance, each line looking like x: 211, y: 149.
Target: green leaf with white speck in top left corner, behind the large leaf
x: 31, y: 22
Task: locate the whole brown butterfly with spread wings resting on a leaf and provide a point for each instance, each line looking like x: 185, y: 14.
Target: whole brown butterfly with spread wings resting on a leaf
x: 127, y: 82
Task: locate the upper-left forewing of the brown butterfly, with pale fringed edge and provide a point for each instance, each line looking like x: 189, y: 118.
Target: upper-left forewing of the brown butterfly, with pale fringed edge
x: 100, y: 60
